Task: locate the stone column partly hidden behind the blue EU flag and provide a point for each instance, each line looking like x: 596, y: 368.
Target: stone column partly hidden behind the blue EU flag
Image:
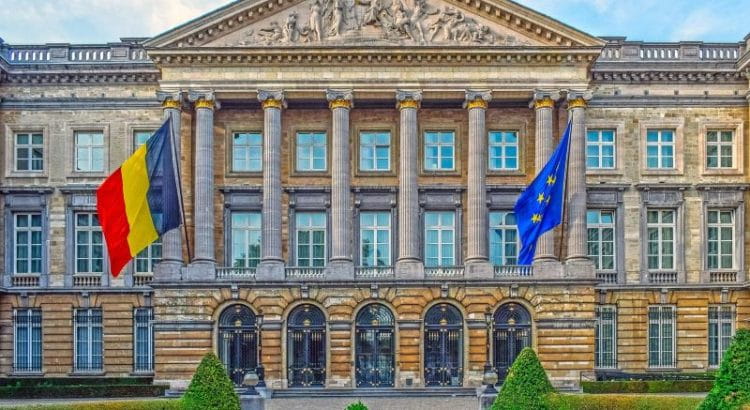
x: 544, y: 105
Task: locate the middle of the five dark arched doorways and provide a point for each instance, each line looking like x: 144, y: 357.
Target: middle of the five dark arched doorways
x: 374, y: 340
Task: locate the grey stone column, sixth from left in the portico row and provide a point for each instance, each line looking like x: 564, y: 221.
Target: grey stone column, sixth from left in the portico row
x: 477, y: 262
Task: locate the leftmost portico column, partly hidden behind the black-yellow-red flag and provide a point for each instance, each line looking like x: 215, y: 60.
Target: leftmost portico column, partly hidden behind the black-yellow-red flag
x: 169, y: 269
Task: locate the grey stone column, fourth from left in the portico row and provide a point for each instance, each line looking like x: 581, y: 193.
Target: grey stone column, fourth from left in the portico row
x: 340, y: 265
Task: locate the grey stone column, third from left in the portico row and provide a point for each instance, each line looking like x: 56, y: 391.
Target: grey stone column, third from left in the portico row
x: 272, y: 264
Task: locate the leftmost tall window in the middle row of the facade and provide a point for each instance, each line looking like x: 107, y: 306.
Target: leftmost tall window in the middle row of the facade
x: 28, y: 243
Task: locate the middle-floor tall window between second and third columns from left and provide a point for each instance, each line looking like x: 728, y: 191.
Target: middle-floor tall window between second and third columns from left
x: 246, y: 228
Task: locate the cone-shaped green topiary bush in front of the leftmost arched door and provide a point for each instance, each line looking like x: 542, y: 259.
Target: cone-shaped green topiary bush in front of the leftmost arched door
x: 210, y: 387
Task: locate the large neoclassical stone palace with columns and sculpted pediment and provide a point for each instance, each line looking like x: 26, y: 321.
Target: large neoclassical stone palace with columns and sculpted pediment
x: 349, y: 171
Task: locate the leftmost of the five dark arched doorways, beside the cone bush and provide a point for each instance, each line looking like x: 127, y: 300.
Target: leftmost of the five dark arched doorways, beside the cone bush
x: 238, y: 341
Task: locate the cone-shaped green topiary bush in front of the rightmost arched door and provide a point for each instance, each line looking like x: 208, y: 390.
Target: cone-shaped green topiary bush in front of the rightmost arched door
x: 525, y: 386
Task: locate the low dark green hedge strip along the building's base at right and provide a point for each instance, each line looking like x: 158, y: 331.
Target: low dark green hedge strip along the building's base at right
x: 648, y: 386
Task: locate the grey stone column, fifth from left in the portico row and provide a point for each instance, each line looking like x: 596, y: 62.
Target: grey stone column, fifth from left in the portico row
x: 409, y: 263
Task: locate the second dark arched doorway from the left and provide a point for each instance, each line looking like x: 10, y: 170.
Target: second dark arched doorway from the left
x: 306, y: 347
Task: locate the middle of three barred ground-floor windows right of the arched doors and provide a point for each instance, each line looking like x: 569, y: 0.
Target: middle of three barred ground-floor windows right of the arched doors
x: 661, y: 336
